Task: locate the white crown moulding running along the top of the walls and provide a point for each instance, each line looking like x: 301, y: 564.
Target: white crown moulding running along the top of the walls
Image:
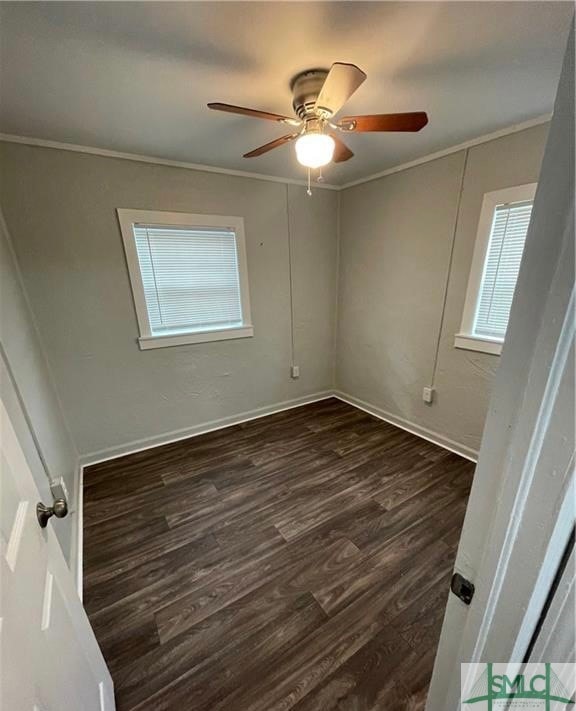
x: 106, y: 153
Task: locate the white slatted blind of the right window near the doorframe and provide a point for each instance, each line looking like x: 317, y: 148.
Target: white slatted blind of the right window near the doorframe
x: 505, y: 247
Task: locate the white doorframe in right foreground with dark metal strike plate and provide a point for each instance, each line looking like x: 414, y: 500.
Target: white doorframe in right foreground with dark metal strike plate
x: 522, y: 504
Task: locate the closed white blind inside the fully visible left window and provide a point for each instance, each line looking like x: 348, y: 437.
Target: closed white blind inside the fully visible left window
x: 190, y: 278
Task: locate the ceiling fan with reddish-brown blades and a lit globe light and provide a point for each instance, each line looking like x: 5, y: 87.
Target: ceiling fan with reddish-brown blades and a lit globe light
x: 319, y: 94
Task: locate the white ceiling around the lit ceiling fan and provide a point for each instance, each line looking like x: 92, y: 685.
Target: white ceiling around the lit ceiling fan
x: 136, y: 76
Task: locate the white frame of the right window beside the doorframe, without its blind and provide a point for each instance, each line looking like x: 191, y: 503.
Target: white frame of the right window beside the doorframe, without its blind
x: 466, y: 338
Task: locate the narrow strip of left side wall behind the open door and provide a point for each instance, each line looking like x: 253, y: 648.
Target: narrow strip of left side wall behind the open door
x: 26, y: 378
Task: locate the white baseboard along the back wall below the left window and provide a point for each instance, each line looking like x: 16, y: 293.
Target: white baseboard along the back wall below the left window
x: 140, y: 445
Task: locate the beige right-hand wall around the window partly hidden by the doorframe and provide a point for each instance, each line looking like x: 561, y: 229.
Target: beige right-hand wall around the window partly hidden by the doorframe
x: 395, y: 336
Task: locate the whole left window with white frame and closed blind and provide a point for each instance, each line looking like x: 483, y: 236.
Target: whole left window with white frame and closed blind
x: 188, y: 276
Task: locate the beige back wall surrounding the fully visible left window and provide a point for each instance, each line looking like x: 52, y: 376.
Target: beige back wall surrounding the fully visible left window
x: 60, y: 207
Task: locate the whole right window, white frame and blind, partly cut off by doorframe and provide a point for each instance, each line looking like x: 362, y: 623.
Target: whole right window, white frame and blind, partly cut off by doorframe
x: 502, y: 230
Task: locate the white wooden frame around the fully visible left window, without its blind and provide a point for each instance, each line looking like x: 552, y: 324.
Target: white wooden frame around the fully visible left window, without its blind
x: 127, y: 218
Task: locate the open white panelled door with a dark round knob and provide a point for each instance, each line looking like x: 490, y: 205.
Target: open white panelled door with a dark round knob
x: 50, y: 660
